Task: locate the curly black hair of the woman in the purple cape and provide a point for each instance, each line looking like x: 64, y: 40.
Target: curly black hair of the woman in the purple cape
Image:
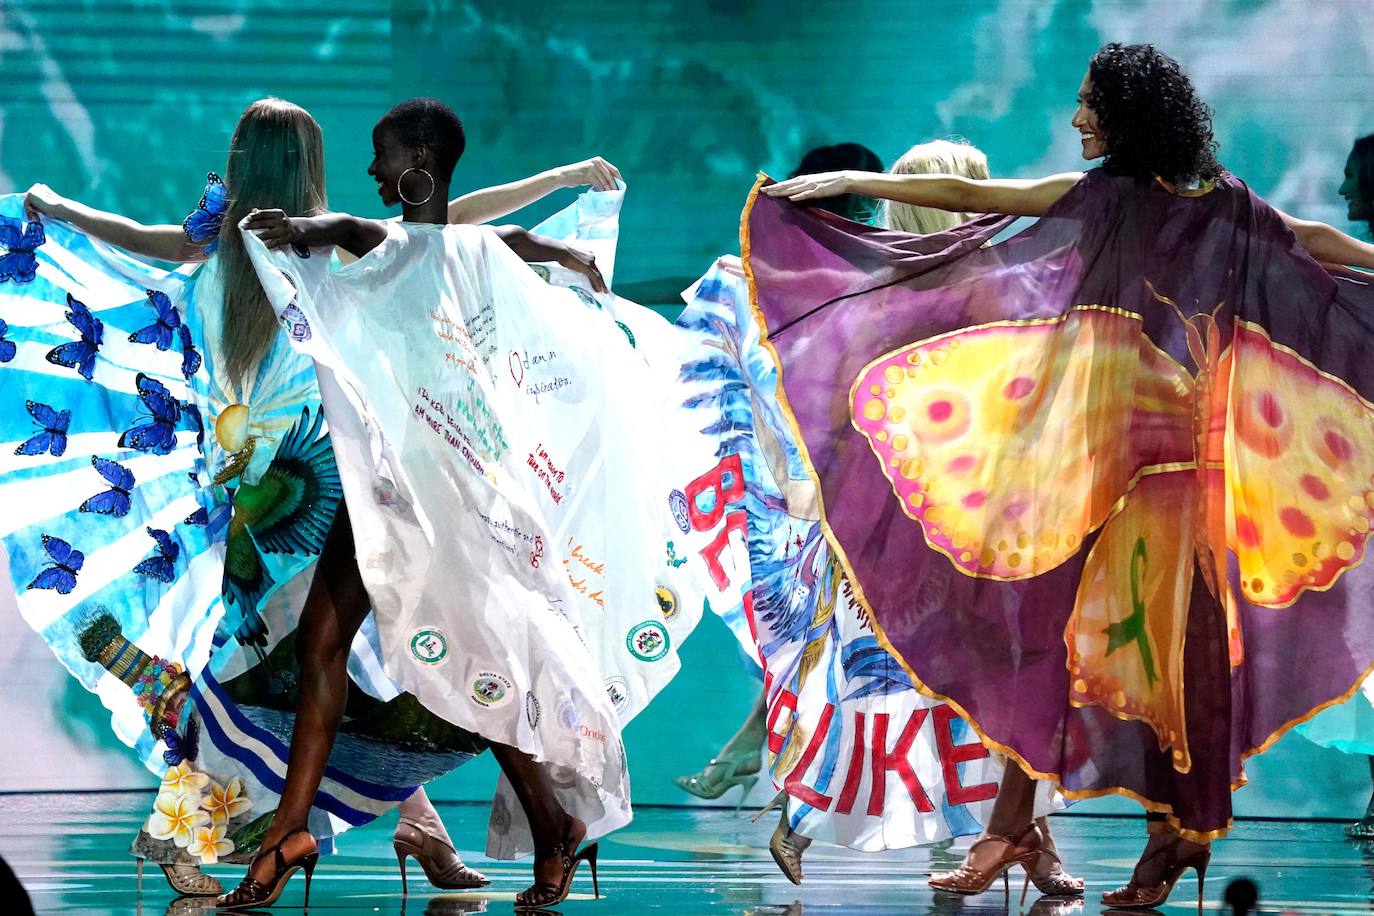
x: 1151, y: 117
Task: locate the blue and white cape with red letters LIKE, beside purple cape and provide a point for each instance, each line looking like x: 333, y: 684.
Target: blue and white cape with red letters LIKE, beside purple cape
x: 868, y: 760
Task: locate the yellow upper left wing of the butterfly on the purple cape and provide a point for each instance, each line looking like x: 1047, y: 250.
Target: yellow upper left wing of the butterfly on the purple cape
x: 1012, y: 442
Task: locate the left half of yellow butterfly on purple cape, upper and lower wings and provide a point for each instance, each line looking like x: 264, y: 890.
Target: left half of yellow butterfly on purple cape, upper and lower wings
x: 1013, y: 442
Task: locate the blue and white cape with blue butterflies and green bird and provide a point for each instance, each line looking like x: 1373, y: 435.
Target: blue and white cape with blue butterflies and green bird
x: 161, y: 539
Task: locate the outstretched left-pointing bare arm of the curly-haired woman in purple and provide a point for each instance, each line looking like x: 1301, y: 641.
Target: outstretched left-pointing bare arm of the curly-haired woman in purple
x: 1016, y: 197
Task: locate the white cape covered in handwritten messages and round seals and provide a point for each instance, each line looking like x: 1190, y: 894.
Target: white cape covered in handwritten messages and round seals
x: 508, y: 465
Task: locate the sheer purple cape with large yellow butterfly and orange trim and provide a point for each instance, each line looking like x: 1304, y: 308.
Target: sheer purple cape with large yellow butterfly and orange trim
x: 1104, y: 485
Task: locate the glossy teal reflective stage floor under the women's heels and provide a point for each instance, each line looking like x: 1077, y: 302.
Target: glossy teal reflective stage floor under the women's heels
x: 71, y: 854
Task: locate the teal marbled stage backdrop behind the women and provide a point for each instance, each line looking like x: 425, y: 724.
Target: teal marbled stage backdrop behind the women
x: 127, y: 104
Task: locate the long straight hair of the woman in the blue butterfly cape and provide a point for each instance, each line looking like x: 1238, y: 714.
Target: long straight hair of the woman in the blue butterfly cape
x: 277, y: 160
